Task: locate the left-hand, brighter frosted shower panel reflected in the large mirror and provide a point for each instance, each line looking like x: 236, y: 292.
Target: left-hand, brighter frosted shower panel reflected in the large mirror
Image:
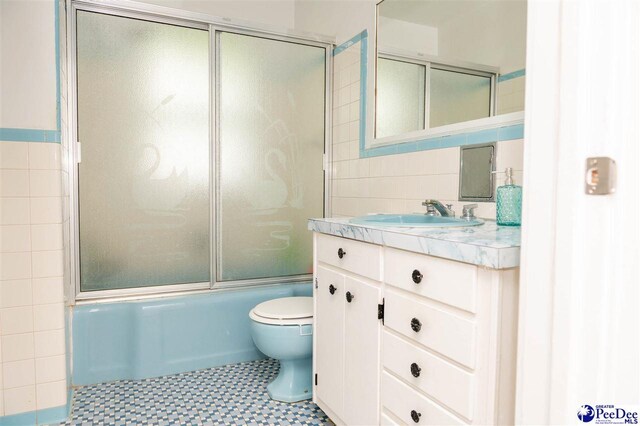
x: 400, y: 97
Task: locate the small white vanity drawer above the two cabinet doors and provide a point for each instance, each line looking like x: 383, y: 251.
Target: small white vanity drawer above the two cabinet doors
x: 357, y: 257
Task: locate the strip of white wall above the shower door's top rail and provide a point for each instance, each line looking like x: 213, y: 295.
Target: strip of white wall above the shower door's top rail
x: 275, y: 13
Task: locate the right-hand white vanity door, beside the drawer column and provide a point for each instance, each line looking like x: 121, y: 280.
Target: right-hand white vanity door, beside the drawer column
x: 362, y: 353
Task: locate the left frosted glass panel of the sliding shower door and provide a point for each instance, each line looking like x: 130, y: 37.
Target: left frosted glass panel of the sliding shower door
x: 143, y: 121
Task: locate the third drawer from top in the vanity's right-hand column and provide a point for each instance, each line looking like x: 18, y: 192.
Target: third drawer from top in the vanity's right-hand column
x: 450, y: 385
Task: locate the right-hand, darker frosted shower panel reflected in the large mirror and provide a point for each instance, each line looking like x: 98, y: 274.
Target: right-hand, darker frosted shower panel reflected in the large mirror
x: 456, y: 97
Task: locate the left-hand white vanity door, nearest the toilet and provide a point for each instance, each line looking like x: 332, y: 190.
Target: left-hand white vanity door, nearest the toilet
x: 329, y: 338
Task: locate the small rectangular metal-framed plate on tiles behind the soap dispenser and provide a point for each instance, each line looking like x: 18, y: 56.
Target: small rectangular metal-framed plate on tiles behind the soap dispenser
x: 477, y: 163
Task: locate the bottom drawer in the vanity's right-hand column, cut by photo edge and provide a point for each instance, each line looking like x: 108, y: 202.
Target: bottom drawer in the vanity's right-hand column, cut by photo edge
x: 400, y: 399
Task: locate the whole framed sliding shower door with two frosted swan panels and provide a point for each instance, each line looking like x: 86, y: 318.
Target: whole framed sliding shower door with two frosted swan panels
x: 200, y: 152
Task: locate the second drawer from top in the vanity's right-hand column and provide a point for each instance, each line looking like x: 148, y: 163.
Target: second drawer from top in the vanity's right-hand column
x: 442, y: 331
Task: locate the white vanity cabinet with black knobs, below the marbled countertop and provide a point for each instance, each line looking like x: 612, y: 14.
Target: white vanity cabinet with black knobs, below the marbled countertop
x: 443, y: 353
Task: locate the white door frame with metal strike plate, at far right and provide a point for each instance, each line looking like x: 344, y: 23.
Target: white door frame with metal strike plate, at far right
x: 579, y: 326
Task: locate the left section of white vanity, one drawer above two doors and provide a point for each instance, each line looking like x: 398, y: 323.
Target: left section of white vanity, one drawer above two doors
x: 347, y: 293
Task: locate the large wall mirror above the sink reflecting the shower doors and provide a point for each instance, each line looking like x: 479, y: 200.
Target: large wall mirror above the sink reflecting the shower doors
x: 447, y: 62
